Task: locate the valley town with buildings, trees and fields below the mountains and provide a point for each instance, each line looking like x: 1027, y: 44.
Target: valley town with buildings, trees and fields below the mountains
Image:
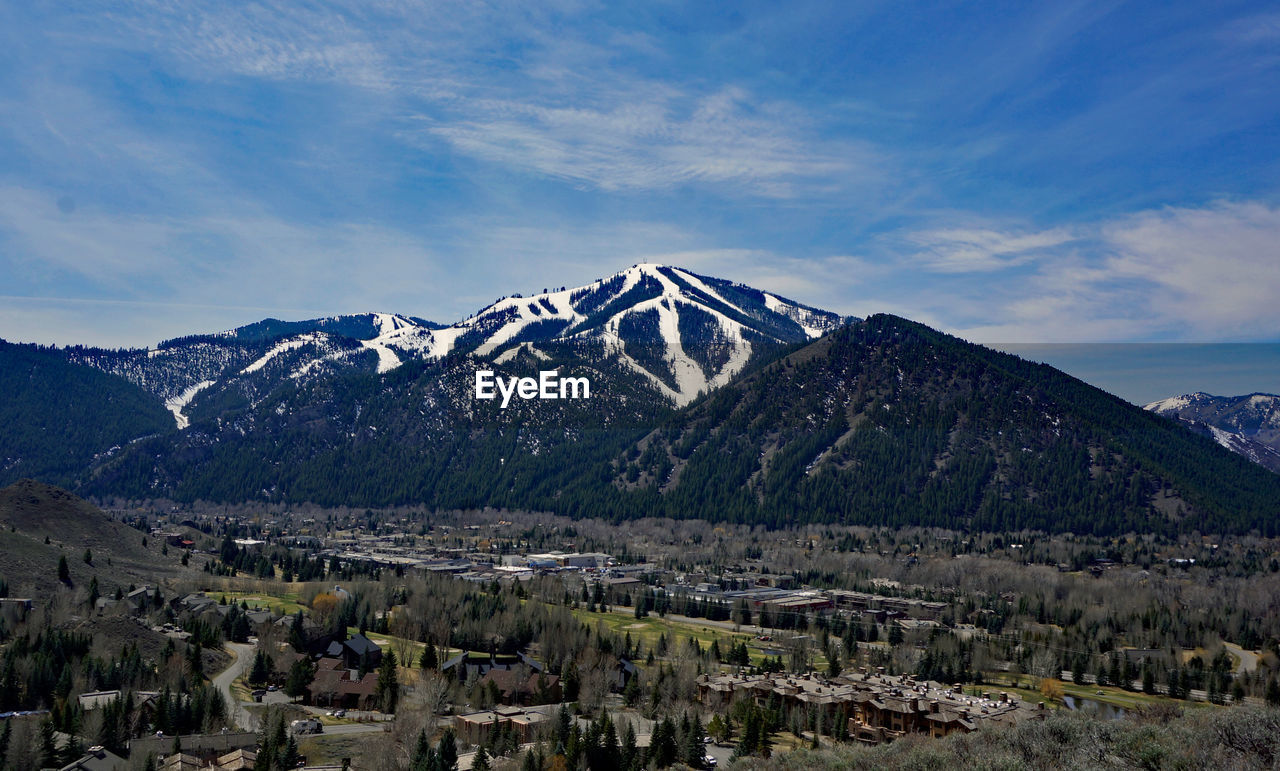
x: 318, y: 636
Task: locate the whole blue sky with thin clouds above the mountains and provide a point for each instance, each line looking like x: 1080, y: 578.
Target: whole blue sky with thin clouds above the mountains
x: 1050, y: 172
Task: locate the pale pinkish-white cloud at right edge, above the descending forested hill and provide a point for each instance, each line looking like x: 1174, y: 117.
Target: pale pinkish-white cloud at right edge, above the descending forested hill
x: 1208, y: 273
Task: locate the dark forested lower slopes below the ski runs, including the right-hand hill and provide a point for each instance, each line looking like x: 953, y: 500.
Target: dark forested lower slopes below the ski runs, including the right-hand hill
x: 883, y: 422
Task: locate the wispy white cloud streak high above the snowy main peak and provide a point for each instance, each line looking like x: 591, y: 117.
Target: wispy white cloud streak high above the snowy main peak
x: 655, y: 144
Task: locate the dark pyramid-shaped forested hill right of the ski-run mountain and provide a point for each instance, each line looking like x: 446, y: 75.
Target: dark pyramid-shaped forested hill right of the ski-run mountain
x: 889, y: 422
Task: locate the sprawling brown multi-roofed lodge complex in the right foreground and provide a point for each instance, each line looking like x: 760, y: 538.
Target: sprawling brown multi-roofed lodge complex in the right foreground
x: 875, y: 708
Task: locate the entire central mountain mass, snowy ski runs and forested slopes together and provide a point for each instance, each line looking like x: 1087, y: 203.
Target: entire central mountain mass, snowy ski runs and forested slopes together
x: 708, y: 400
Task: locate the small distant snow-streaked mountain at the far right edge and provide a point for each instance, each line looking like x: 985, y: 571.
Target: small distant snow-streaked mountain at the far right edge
x: 1246, y: 425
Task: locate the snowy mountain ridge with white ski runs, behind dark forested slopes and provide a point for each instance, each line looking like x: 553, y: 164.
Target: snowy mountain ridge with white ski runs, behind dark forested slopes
x: 683, y: 334
